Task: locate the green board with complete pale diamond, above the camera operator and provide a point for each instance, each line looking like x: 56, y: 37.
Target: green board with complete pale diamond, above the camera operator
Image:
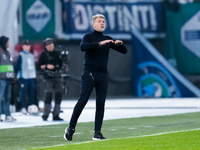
x: 38, y: 19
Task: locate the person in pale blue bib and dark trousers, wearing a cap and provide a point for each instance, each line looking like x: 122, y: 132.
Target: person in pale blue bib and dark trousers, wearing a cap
x: 26, y: 73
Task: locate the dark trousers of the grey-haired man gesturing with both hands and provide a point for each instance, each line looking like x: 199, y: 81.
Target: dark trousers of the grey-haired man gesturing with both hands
x: 91, y: 80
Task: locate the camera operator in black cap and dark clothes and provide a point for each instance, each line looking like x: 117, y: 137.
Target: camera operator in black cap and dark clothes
x: 50, y: 63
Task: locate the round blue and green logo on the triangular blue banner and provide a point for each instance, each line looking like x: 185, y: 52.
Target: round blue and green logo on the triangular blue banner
x: 156, y: 81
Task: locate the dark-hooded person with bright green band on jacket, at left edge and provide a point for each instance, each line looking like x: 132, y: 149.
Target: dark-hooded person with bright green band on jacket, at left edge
x: 6, y: 77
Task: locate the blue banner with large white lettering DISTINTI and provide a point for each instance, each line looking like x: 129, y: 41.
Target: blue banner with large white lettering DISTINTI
x: 147, y: 16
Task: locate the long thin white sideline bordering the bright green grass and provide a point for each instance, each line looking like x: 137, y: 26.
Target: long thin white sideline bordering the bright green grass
x: 124, y: 138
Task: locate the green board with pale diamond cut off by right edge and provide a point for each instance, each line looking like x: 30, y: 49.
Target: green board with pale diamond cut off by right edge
x: 182, y: 45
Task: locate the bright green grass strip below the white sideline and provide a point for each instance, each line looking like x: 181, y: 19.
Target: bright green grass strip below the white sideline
x: 187, y: 140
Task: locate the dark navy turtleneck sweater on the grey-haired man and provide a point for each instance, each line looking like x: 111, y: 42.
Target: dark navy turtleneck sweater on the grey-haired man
x: 96, y: 56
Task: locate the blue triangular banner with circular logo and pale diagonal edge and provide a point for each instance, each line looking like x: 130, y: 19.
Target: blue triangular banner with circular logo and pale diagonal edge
x: 153, y: 76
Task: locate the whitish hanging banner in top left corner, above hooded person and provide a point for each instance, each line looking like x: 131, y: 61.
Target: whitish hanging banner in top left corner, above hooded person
x: 9, y: 22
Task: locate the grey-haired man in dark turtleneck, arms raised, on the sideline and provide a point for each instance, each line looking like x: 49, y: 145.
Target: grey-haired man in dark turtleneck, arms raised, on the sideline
x: 96, y: 46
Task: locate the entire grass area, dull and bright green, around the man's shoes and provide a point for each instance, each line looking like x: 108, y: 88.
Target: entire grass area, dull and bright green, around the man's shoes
x: 117, y: 131
